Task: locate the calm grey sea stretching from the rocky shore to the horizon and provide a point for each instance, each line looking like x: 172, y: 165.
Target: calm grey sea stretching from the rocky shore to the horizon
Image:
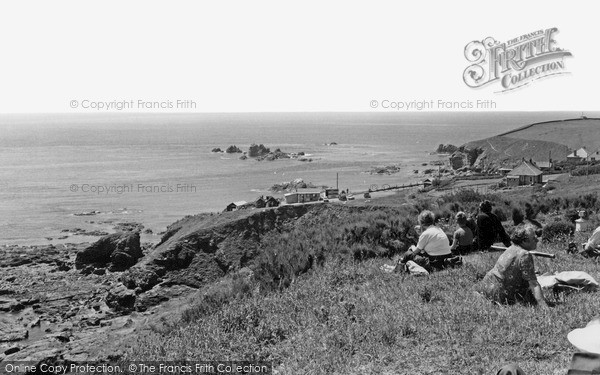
x: 59, y: 172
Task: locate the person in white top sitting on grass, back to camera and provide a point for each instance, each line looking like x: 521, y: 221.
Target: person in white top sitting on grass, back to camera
x: 433, y: 246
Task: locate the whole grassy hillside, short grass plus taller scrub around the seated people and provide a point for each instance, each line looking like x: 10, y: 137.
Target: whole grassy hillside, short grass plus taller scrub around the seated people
x: 316, y: 301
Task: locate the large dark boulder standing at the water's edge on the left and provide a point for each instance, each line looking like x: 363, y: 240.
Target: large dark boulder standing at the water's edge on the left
x: 119, y: 251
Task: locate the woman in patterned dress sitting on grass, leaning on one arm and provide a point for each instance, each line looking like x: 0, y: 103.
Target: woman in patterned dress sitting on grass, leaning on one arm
x: 513, y: 277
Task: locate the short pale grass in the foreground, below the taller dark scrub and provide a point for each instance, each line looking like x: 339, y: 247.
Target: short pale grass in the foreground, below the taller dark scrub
x: 351, y: 318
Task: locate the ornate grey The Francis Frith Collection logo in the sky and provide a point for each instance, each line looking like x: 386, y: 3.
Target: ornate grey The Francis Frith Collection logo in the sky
x: 514, y: 63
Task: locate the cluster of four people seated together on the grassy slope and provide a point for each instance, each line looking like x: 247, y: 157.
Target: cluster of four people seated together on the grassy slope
x: 512, y: 278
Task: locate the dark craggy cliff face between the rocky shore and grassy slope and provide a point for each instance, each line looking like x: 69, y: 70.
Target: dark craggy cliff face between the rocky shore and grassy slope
x: 200, y: 249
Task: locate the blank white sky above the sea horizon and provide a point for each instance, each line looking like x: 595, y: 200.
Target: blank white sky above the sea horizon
x: 280, y: 56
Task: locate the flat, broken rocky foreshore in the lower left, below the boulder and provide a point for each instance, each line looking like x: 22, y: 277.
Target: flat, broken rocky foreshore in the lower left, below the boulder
x: 52, y: 311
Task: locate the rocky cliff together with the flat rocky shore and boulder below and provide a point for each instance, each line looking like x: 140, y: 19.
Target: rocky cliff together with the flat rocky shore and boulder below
x: 83, y: 302
